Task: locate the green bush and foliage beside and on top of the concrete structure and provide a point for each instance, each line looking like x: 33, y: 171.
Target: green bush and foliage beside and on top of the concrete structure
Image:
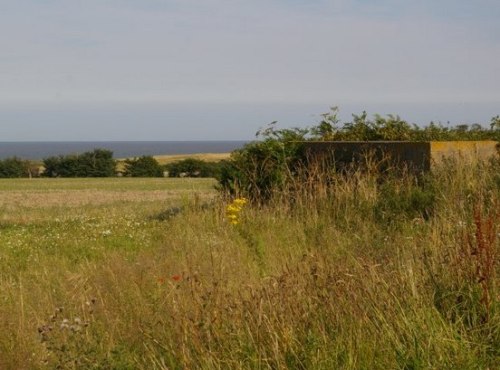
x: 277, y: 160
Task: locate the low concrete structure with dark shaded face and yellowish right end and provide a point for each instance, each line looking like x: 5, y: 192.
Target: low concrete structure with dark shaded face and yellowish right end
x: 415, y: 156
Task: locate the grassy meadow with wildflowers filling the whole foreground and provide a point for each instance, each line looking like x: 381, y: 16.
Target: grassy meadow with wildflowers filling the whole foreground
x: 349, y: 273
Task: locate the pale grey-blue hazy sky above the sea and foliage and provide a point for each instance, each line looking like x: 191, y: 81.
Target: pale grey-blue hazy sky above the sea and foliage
x: 221, y: 69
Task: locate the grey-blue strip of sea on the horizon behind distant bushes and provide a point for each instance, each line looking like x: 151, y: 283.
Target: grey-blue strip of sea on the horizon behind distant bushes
x: 33, y: 150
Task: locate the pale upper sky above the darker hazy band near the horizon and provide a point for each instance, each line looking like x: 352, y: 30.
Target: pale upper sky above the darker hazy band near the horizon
x: 249, y: 52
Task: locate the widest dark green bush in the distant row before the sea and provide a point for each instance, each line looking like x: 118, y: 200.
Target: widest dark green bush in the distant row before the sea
x: 98, y: 163
